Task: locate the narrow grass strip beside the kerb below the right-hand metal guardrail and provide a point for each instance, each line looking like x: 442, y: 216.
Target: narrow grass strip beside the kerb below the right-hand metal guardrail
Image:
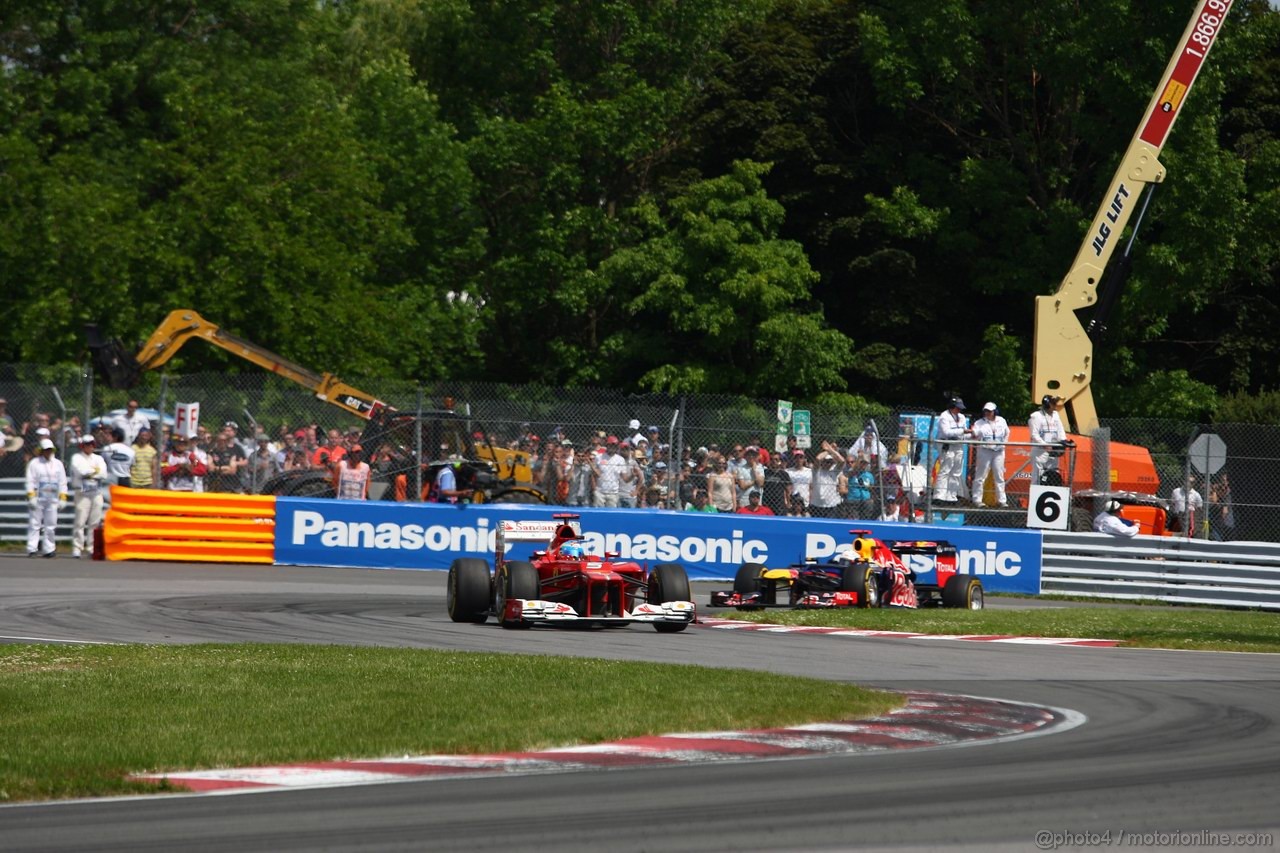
x: 1155, y: 627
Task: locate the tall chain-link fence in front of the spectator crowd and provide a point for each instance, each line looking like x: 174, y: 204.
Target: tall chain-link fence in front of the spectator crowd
x: 671, y: 448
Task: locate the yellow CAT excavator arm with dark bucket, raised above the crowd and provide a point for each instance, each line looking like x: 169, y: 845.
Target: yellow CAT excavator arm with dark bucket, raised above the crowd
x: 184, y: 325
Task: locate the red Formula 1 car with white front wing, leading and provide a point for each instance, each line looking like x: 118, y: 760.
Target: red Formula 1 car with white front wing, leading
x: 564, y: 583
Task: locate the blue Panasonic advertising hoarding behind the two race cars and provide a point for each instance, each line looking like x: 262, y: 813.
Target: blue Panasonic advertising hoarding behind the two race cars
x: 377, y: 535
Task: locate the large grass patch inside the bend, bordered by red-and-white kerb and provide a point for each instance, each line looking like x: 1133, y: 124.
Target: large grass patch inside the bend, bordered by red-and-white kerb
x: 76, y: 720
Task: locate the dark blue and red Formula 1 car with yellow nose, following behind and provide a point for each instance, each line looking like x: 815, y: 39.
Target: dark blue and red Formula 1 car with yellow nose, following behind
x: 870, y: 573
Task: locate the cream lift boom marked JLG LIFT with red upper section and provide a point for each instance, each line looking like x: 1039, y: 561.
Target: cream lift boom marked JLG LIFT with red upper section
x: 1063, y: 350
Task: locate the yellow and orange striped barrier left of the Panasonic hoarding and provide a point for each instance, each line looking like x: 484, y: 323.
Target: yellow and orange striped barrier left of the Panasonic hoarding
x: 200, y: 527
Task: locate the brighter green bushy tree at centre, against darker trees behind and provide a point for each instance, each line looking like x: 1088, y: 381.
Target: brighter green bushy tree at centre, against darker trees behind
x: 715, y: 284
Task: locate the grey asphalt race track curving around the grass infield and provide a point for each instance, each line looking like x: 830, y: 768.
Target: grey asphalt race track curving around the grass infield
x: 1176, y: 742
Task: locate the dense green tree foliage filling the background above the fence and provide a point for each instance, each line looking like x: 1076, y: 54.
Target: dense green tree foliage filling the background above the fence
x: 853, y: 199
